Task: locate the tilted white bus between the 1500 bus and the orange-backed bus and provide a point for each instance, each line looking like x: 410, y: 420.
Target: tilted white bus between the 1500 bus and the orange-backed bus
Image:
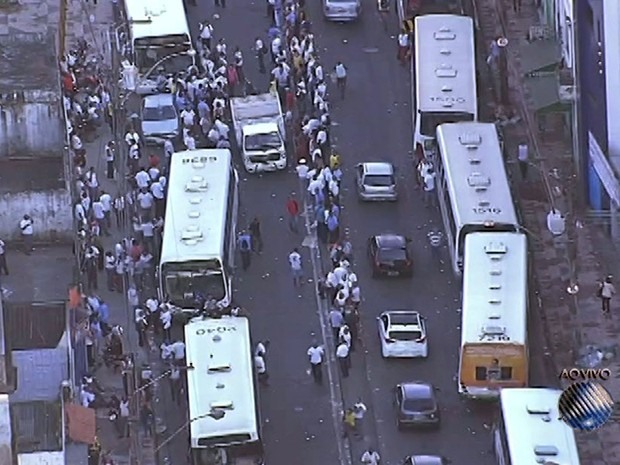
x: 472, y: 184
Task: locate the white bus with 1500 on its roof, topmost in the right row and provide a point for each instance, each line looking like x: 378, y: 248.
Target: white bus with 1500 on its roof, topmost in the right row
x: 444, y: 74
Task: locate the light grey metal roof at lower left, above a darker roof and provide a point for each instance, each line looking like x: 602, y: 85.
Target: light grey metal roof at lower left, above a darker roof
x: 39, y: 374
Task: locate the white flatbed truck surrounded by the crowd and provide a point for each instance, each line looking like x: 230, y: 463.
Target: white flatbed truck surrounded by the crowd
x: 259, y: 127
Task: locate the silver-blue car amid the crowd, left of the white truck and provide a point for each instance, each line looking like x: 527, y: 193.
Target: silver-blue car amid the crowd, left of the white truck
x: 160, y: 120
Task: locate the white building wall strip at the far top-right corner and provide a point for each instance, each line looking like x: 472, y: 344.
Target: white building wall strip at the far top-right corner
x: 611, y: 30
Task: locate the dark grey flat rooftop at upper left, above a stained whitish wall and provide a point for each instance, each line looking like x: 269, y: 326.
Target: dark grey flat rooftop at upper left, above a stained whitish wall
x: 28, y: 63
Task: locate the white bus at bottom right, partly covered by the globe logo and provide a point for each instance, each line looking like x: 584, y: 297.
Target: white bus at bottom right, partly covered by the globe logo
x: 529, y: 429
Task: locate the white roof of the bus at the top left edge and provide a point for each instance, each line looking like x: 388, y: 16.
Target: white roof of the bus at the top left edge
x: 156, y: 18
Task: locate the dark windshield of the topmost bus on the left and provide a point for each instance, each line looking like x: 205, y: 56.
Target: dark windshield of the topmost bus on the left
x: 149, y: 54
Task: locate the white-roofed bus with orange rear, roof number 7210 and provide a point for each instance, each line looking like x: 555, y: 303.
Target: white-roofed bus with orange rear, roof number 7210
x: 494, y: 350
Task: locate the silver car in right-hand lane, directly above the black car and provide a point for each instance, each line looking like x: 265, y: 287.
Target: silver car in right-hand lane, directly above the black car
x: 376, y: 181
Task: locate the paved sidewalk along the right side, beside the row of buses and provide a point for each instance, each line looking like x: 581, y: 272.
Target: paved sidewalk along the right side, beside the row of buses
x: 571, y: 322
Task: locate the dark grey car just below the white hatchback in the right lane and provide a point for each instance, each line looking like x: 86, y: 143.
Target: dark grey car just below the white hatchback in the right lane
x: 416, y: 404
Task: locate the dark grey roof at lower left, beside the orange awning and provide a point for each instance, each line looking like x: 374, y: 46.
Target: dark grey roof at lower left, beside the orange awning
x: 37, y: 426
